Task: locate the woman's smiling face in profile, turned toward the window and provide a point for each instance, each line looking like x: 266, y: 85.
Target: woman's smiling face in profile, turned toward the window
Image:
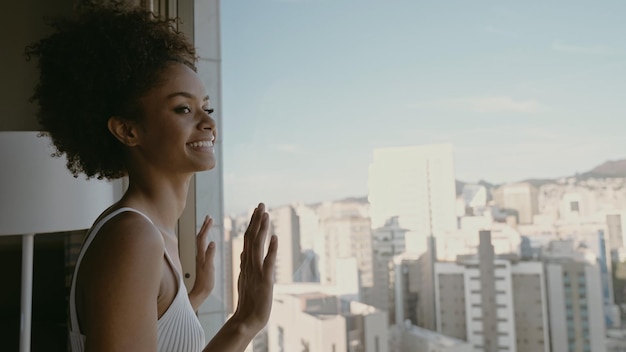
x: 176, y: 133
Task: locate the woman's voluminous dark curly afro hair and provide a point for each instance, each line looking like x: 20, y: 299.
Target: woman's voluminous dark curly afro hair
x: 97, y: 65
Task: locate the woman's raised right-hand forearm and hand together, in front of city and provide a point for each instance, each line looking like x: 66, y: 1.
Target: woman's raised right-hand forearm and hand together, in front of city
x: 255, y: 285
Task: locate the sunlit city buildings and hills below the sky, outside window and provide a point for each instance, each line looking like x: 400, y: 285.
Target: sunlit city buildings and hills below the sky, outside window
x: 424, y: 262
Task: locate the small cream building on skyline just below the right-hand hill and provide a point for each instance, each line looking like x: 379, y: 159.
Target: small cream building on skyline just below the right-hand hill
x: 522, y: 197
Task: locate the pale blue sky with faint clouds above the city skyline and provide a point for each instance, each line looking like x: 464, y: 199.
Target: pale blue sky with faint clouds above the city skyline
x: 522, y: 89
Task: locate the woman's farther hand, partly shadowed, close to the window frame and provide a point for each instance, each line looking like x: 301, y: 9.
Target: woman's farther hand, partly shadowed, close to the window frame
x: 205, y: 268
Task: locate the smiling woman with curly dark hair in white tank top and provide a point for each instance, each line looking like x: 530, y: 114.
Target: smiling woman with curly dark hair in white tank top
x: 119, y: 96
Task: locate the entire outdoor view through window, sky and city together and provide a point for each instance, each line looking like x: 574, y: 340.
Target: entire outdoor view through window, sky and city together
x: 357, y: 122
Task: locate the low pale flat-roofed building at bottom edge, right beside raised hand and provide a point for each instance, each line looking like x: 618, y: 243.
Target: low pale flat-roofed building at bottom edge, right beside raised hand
x: 320, y: 322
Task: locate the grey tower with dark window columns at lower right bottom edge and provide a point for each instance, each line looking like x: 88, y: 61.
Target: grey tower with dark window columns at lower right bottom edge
x: 576, y: 306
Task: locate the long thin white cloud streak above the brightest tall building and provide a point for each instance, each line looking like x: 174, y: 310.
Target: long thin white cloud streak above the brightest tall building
x: 485, y: 104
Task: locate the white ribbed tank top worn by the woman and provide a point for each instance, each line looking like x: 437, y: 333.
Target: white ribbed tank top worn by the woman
x: 178, y: 329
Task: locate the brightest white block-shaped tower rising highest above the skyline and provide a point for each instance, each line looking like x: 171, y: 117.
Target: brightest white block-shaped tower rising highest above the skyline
x: 417, y: 185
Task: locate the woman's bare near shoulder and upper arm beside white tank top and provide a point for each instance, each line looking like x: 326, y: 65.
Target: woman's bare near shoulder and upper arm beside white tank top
x: 120, y: 280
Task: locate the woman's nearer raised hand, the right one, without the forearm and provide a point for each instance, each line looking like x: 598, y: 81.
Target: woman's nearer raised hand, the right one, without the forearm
x: 256, y: 279
